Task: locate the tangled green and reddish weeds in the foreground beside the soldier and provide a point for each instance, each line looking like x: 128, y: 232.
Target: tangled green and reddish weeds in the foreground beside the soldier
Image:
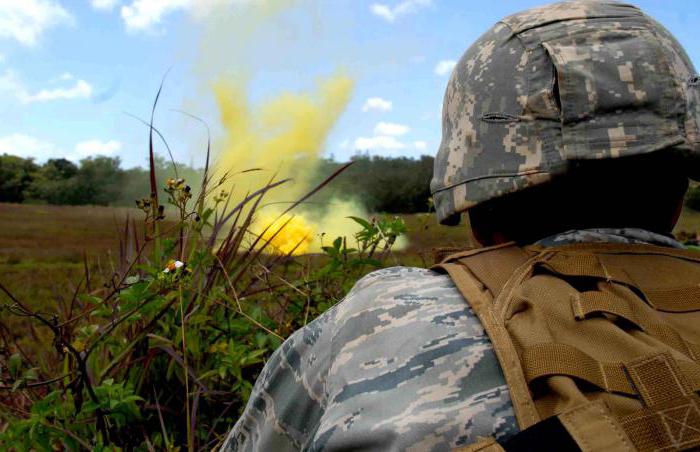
x: 162, y: 353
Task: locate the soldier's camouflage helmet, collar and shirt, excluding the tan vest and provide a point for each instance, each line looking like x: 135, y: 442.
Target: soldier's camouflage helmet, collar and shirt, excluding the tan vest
x: 403, y: 363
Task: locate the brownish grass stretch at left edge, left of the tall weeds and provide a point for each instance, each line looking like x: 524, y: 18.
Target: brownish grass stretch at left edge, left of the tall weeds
x: 41, y: 247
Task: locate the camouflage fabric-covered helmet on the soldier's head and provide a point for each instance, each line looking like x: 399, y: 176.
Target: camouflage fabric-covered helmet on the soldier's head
x: 564, y: 82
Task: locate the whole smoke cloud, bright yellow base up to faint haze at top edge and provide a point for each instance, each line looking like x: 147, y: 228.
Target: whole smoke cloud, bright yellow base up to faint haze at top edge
x: 285, y: 134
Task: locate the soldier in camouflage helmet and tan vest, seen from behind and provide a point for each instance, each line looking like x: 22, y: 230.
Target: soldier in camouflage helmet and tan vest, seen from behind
x: 569, y: 134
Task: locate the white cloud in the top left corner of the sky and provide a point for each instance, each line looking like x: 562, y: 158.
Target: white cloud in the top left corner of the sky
x: 26, y: 20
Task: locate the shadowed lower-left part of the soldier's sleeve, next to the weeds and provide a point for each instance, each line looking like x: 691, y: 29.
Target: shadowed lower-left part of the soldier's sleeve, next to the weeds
x: 288, y: 398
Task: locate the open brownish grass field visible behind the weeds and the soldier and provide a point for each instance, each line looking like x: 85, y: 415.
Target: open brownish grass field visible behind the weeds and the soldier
x: 42, y: 247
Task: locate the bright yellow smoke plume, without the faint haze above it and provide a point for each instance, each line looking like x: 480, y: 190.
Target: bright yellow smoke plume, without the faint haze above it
x: 285, y: 135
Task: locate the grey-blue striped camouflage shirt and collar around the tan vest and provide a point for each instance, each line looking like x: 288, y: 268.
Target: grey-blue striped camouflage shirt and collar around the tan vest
x: 402, y: 363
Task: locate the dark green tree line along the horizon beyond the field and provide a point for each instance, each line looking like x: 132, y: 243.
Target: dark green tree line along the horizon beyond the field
x: 381, y: 184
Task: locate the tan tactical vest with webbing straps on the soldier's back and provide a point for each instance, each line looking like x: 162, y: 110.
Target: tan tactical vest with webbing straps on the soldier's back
x: 599, y: 343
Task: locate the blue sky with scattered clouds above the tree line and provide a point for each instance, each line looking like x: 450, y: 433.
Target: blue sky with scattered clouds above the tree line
x: 70, y: 70
